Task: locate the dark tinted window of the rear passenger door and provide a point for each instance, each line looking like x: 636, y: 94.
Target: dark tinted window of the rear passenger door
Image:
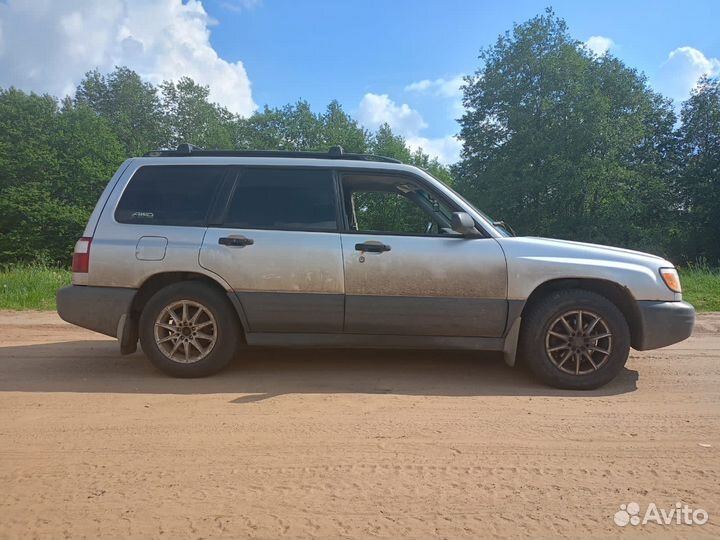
x: 286, y: 199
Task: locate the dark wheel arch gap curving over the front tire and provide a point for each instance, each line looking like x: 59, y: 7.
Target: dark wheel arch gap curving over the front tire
x: 615, y: 293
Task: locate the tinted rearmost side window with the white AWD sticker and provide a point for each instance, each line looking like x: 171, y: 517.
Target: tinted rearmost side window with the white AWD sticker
x: 170, y: 195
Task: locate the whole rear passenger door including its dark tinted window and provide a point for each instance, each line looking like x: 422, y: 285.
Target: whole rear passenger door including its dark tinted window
x: 278, y: 246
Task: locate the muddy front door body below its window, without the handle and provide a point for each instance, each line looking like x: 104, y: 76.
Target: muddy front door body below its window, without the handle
x: 440, y: 286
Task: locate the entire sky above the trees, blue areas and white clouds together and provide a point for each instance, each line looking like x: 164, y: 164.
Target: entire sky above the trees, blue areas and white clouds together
x: 397, y: 61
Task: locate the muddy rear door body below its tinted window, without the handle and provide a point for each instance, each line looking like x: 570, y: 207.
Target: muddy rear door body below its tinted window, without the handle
x: 287, y: 281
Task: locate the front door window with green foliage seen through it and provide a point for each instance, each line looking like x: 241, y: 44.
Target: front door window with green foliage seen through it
x: 394, y: 204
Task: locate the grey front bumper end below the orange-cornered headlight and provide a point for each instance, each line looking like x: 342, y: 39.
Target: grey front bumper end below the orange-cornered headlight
x: 664, y: 323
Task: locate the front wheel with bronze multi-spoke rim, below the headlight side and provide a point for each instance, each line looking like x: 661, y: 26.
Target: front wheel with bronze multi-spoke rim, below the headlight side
x: 550, y: 346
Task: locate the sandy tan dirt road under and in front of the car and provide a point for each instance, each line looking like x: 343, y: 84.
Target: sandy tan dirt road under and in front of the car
x: 301, y: 444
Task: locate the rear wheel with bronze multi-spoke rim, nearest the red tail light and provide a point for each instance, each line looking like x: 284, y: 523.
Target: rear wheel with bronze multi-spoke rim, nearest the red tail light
x: 207, y: 344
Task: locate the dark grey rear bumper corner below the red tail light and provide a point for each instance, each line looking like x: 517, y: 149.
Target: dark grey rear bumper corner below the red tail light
x: 96, y: 308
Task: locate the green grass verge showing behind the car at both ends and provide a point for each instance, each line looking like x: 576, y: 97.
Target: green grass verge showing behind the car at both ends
x: 34, y: 287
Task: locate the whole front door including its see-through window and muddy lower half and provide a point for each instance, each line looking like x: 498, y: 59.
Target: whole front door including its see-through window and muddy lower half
x: 407, y: 272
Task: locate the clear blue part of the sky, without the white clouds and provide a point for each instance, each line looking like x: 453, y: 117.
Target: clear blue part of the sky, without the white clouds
x: 322, y: 50
